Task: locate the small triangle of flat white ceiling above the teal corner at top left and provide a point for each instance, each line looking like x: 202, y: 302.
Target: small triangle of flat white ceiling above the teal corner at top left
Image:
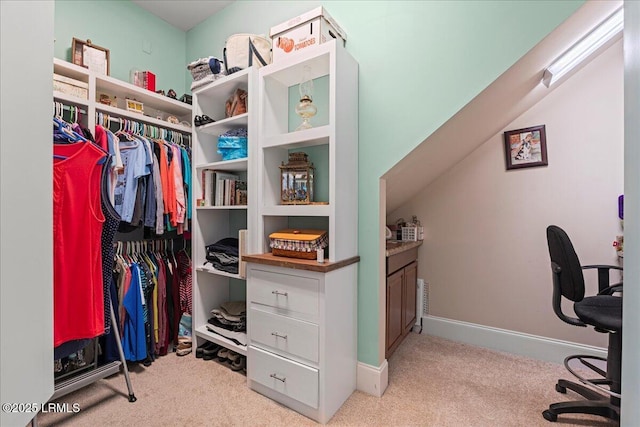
x: 184, y: 14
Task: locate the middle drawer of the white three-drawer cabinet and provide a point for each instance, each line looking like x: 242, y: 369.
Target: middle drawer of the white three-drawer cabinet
x: 285, y: 334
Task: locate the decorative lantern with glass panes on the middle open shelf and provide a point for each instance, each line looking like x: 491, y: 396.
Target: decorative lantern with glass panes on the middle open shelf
x: 297, y: 180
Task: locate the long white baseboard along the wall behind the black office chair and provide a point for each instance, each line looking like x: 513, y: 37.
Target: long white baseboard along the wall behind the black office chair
x: 533, y: 346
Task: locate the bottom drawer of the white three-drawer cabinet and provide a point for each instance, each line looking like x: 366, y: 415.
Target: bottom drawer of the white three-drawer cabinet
x: 284, y: 376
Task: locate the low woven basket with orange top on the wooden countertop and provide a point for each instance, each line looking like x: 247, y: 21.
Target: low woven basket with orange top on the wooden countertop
x: 294, y: 243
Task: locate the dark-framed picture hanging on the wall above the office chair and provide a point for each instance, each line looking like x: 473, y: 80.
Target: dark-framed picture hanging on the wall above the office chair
x: 526, y: 148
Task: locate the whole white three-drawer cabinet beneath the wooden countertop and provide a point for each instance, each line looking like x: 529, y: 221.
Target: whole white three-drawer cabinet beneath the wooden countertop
x: 307, y: 365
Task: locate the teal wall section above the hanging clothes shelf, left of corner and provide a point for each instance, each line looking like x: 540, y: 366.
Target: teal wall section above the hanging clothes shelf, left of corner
x: 123, y: 27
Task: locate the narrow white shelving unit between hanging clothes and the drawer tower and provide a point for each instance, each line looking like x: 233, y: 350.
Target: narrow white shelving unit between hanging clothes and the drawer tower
x: 212, y: 287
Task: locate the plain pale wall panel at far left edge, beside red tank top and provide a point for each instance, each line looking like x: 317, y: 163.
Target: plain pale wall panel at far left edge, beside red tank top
x: 26, y: 213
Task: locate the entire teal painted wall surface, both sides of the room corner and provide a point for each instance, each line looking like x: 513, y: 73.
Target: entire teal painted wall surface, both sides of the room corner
x: 420, y: 62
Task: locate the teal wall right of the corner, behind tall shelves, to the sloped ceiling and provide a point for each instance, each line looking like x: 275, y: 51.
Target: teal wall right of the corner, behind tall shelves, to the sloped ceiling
x: 420, y: 62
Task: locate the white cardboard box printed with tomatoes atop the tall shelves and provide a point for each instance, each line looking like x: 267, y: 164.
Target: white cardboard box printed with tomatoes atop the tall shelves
x: 304, y: 31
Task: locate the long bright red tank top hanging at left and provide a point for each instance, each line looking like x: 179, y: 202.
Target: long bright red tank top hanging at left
x: 78, y: 310
